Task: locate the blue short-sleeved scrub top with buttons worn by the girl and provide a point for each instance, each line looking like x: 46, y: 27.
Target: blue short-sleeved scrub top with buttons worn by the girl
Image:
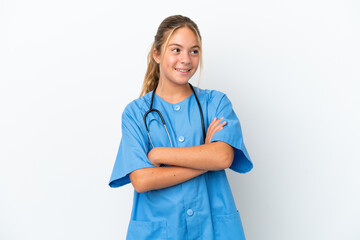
x: 200, y: 208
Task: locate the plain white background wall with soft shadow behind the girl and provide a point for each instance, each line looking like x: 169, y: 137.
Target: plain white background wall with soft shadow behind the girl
x: 68, y: 68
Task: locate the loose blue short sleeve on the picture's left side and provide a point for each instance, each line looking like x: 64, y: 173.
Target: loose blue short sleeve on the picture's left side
x: 132, y: 153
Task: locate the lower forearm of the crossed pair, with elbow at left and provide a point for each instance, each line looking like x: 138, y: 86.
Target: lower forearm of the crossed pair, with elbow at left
x: 147, y: 179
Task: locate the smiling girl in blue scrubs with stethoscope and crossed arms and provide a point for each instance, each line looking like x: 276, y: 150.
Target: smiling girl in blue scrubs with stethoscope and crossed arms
x: 177, y: 170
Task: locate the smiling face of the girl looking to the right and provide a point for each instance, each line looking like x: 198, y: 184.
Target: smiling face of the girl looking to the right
x: 180, y: 59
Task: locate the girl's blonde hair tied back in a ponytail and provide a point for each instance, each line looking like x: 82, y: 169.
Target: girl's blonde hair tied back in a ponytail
x: 164, y: 32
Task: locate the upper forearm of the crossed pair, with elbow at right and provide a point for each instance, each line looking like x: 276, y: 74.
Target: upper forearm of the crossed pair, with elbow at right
x: 212, y: 156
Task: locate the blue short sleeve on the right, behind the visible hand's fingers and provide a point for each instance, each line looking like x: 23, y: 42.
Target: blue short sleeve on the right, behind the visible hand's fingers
x: 231, y: 134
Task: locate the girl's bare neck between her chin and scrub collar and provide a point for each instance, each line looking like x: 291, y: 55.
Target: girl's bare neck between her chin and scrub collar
x: 173, y: 93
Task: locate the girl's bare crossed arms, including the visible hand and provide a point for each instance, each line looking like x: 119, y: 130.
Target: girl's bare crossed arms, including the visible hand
x: 187, y: 162
